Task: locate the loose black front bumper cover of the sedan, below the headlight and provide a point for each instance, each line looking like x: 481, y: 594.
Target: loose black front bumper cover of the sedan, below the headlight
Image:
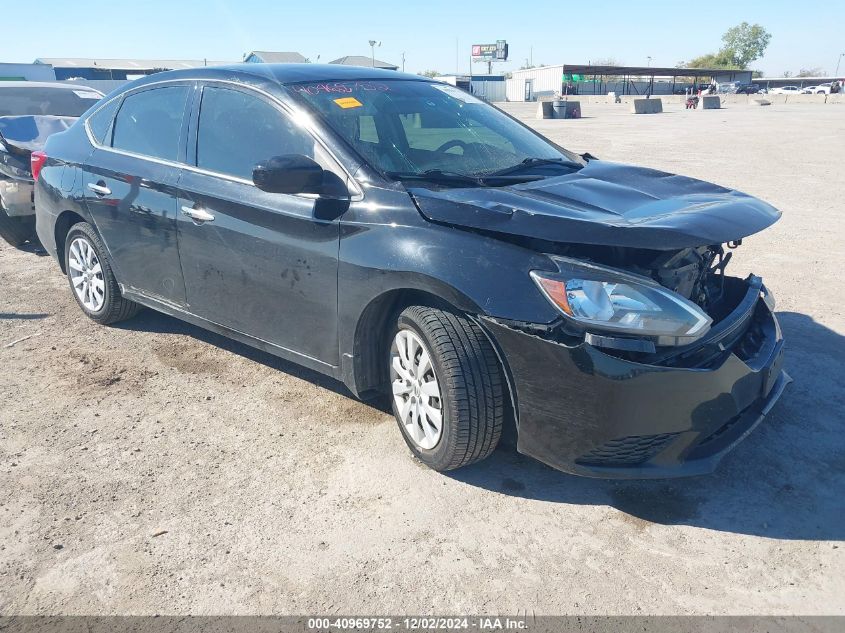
x: 590, y: 413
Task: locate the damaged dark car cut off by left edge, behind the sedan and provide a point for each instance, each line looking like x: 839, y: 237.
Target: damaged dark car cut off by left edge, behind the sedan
x: 29, y: 113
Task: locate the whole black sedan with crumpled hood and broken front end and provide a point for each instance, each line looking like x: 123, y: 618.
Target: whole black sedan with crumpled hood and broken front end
x: 400, y: 235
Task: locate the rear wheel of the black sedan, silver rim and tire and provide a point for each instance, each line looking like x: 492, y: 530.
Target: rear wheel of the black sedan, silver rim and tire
x: 106, y: 304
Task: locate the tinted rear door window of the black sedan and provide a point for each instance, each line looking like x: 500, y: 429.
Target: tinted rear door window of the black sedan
x: 149, y: 122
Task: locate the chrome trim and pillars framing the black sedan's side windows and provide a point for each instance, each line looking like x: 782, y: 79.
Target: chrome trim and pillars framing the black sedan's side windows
x: 356, y: 191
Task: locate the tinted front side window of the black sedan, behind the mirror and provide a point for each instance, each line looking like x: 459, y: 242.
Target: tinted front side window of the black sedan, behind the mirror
x: 238, y: 130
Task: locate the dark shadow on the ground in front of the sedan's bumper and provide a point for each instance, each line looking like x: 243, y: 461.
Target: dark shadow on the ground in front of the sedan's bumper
x: 784, y: 481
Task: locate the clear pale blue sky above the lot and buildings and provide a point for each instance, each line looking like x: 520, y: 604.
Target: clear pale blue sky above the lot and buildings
x: 432, y: 35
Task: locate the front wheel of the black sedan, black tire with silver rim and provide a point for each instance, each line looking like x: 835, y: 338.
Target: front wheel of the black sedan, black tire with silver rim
x: 469, y: 383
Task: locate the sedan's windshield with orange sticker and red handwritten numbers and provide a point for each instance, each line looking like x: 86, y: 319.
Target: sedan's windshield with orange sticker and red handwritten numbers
x: 415, y: 128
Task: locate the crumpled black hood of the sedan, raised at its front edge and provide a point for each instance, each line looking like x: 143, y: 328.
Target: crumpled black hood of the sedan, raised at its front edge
x: 605, y: 203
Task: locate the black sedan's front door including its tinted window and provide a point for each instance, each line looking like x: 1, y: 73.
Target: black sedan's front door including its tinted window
x: 260, y: 263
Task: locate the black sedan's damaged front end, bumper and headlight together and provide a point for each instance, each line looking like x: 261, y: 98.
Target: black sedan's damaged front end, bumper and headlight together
x: 658, y: 365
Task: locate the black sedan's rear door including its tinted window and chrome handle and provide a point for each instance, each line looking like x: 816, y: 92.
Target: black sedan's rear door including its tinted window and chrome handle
x: 130, y: 189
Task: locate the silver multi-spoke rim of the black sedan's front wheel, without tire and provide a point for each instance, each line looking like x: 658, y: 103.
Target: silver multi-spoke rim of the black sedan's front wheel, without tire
x: 416, y: 390
